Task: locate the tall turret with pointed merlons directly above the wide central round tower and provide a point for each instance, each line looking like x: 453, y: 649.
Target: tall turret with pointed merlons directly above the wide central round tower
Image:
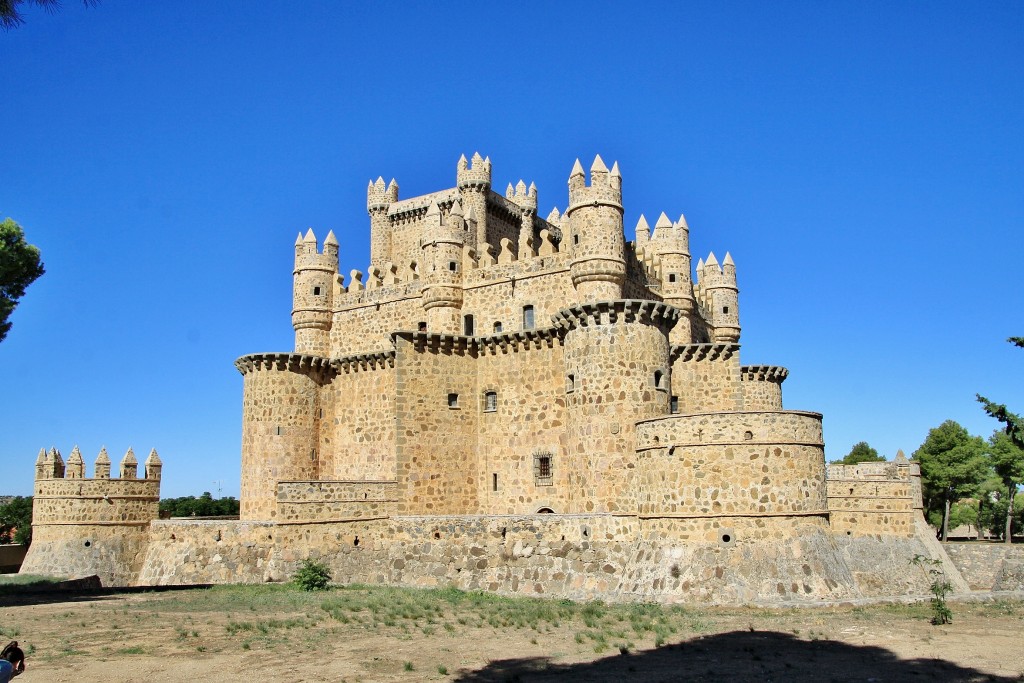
x: 598, y: 247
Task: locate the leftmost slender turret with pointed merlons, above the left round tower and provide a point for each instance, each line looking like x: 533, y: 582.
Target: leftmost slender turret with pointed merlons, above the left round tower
x: 313, y: 294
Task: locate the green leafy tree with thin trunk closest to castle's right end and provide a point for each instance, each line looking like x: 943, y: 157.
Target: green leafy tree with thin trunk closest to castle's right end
x: 953, y: 466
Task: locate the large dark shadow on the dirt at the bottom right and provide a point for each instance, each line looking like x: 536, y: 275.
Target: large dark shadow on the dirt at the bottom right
x: 739, y: 656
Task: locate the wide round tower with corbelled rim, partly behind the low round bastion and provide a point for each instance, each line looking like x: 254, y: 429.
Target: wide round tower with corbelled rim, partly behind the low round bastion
x: 618, y: 372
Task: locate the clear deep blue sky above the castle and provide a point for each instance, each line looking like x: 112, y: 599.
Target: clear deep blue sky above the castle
x: 863, y: 161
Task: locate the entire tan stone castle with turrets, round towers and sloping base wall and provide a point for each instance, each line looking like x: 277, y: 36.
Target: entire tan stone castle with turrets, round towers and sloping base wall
x: 522, y: 405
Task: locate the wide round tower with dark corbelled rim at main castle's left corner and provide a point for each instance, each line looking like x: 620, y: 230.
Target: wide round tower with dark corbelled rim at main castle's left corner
x: 280, y: 426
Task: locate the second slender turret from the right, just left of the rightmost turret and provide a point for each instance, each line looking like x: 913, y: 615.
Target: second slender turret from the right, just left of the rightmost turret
x: 671, y: 243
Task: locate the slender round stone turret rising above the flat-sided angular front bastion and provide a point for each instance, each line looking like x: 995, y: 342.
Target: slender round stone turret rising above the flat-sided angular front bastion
x: 442, y: 295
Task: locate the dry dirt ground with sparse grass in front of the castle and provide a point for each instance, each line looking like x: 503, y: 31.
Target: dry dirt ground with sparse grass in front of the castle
x: 367, y: 634
